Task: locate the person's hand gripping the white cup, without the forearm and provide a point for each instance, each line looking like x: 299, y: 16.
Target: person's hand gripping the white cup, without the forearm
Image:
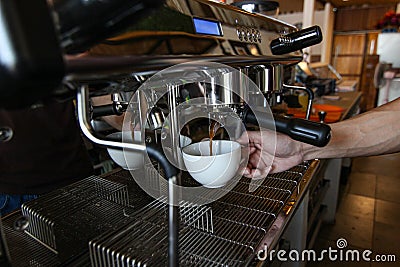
x: 267, y: 156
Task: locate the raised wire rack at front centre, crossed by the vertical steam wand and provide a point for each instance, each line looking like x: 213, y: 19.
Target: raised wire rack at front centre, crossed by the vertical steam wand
x: 145, y: 240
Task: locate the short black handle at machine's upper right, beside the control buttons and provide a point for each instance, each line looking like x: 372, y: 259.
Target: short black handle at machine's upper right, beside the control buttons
x: 296, y: 40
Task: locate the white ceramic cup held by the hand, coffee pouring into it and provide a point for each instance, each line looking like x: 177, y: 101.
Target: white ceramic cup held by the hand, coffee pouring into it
x: 216, y: 170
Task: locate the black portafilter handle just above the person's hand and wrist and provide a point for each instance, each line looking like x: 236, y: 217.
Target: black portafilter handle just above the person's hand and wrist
x: 313, y: 133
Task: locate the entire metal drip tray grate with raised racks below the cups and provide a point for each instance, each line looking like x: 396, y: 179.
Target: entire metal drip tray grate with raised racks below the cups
x: 127, y: 228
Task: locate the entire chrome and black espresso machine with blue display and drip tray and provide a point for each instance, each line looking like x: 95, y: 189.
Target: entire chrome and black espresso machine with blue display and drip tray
x: 179, y: 60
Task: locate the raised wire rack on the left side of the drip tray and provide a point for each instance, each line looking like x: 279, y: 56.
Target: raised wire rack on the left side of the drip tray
x: 65, y: 219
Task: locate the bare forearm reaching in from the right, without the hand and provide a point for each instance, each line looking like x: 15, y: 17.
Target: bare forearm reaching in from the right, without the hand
x: 372, y: 133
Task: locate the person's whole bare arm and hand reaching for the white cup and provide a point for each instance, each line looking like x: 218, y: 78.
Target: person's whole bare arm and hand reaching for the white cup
x: 371, y: 133
